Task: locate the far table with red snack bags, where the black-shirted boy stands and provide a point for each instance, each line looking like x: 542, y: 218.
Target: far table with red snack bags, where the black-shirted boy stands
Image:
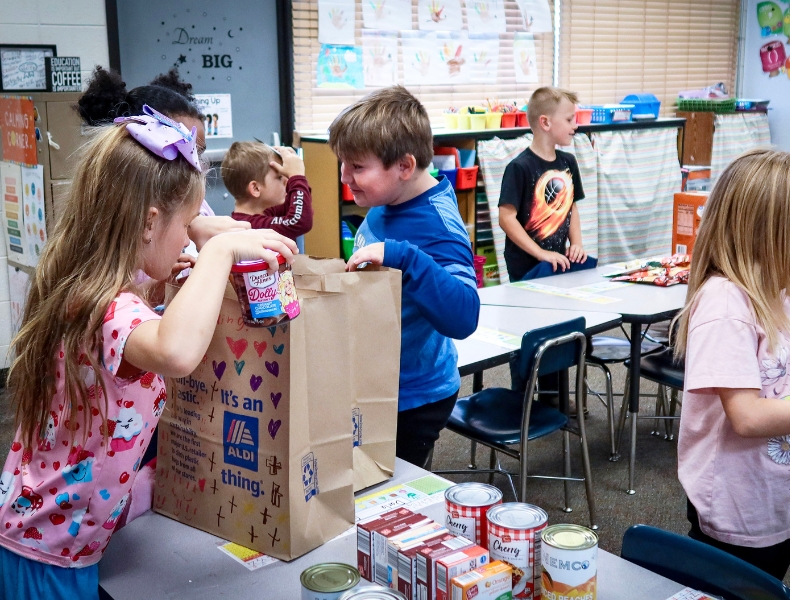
x: 638, y: 304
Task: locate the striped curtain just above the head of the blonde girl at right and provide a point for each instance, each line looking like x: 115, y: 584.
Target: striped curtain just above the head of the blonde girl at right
x: 734, y: 135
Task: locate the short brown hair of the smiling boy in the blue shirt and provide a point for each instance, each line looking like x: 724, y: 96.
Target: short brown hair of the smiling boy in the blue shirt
x: 388, y: 124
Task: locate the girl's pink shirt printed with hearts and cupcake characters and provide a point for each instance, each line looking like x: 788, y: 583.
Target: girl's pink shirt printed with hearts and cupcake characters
x: 59, y: 501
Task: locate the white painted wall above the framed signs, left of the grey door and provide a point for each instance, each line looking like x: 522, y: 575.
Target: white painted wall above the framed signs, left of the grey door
x: 77, y: 27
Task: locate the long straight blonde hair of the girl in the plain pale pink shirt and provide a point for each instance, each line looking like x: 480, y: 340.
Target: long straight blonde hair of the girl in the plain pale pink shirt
x: 744, y: 236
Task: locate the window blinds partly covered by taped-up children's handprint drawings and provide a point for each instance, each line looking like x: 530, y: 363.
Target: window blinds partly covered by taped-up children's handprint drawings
x: 315, y: 107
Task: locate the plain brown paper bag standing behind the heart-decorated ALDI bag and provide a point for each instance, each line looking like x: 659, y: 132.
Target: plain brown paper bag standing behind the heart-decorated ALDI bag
x: 372, y: 303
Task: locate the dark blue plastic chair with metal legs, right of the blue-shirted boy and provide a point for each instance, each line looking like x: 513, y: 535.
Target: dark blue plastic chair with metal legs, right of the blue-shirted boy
x: 500, y: 418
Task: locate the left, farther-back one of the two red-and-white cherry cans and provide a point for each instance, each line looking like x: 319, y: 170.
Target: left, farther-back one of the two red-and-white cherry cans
x: 467, y: 505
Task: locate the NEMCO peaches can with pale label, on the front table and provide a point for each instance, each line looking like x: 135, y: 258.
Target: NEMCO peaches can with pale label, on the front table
x: 570, y: 562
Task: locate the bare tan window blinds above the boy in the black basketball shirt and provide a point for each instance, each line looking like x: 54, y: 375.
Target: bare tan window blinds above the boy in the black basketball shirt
x: 611, y: 48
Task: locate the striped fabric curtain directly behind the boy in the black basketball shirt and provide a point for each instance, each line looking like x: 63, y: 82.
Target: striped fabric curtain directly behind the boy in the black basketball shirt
x: 496, y: 154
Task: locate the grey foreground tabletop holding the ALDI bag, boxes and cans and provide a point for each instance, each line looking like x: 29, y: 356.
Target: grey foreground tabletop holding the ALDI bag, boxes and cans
x: 157, y: 557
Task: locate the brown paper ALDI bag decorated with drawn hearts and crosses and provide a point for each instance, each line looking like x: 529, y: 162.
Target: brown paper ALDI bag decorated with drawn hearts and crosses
x: 251, y: 448
